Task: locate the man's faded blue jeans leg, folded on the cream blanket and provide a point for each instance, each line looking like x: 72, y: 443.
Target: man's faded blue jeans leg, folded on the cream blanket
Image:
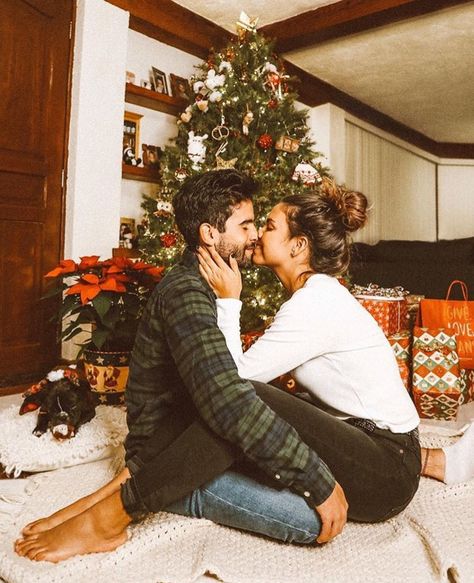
x: 235, y: 500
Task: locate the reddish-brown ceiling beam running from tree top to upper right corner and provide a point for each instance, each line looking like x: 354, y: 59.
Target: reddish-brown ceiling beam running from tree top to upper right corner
x: 345, y: 18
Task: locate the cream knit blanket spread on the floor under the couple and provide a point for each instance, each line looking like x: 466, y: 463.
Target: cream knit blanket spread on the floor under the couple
x: 431, y: 541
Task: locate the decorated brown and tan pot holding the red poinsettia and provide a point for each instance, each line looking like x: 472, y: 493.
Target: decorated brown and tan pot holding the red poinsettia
x: 107, y: 374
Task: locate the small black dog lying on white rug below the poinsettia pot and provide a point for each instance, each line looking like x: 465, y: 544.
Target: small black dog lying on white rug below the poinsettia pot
x: 64, y: 401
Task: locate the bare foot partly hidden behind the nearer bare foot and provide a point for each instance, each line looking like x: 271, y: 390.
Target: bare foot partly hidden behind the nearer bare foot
x: 76, y: 507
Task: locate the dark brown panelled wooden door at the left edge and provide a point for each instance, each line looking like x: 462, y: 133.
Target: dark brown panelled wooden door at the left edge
x: 34, y: 90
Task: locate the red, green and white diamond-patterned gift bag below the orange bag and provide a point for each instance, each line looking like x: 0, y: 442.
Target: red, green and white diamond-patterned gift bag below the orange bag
x: 437, y: 387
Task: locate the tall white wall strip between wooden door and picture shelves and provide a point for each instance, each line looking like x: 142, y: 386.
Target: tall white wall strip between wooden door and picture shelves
x: 95, y: 138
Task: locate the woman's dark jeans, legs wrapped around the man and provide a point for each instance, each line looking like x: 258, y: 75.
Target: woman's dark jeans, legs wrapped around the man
x: 378, y: 470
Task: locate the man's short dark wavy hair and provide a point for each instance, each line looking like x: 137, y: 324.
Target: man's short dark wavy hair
x: 209, y: 198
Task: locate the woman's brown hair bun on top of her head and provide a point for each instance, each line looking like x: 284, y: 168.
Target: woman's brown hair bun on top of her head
x: 350, y: 204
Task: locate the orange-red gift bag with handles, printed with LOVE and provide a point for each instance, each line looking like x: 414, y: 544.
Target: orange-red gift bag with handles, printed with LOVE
x: 458, y: 316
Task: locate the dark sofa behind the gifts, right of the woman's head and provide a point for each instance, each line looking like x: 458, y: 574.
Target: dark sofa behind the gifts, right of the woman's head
x: 421, y: 267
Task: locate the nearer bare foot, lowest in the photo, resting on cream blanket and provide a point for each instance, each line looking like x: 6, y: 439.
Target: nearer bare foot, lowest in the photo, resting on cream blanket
x: 100, y: 528
